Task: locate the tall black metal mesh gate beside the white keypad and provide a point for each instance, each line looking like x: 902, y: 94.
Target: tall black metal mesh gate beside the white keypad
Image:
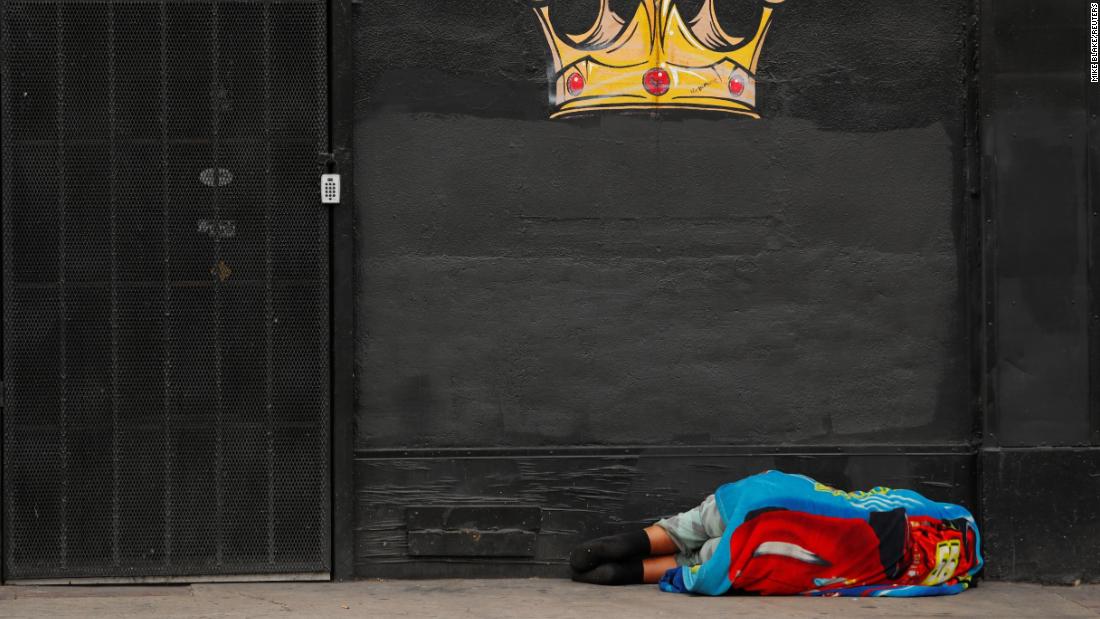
x: 166, y: 289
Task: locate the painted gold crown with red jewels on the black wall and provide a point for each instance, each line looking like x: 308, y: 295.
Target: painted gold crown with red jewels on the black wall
x: 656, y: 61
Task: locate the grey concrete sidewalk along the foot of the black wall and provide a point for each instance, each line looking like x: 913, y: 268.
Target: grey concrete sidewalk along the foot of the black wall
x: 529, y: 599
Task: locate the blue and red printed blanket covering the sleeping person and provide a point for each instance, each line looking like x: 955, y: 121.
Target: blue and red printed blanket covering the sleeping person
x: 789, y: 535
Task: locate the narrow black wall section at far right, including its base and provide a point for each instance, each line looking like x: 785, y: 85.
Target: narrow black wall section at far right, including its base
x: 1040, y: 462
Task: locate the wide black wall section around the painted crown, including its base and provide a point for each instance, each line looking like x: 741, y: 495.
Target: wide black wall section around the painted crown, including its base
x: 602, y: 319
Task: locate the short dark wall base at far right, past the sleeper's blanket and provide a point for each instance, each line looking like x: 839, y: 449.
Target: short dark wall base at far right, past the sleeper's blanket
x: 1042, y: 514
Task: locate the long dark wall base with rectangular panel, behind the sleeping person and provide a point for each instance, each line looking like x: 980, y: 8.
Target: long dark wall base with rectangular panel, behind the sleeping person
x: 584, y: 493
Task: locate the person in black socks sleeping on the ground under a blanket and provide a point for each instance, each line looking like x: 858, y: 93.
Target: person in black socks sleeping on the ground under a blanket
x: 776, y: 534
